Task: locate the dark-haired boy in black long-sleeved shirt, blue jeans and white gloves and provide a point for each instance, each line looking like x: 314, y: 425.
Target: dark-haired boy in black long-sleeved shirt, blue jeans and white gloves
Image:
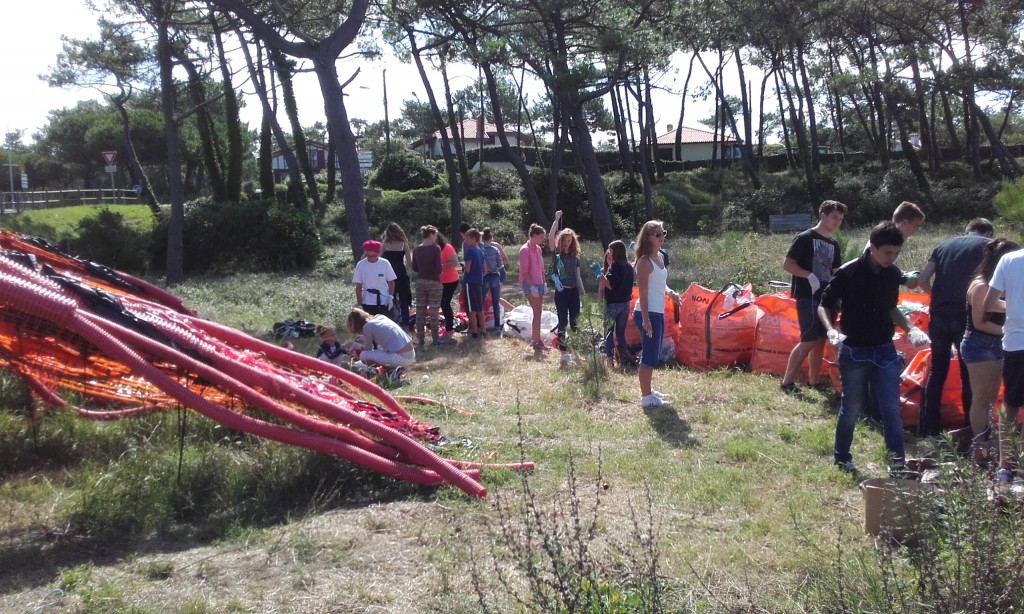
x: 868, y: 290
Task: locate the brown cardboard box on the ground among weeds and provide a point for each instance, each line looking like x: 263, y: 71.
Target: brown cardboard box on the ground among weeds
x: 895, y: 508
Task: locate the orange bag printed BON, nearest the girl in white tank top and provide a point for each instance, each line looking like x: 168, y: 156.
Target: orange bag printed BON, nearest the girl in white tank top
x: 716, y: 329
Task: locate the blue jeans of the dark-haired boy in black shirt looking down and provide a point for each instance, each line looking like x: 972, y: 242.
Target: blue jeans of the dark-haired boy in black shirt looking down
x: 879, y: 366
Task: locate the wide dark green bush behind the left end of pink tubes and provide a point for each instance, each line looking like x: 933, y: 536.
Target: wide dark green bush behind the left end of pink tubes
x: 258, y: 236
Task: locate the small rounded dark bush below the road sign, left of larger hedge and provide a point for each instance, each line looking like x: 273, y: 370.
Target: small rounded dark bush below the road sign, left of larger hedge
x: 108, y: 239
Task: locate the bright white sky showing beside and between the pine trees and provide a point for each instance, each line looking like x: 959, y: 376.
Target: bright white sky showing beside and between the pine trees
x: 30, y: 42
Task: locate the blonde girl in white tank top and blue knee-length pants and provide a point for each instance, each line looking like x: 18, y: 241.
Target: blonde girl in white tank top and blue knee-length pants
x: 649, y: 316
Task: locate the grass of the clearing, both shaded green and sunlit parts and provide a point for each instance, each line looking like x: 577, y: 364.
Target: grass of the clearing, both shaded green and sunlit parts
x: 740, y: 478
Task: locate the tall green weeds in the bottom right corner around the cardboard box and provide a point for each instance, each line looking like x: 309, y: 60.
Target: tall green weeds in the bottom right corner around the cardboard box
x: 964, y: 556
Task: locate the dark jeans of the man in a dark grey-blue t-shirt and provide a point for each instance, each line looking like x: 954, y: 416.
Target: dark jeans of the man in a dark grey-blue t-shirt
x: 946, y: 332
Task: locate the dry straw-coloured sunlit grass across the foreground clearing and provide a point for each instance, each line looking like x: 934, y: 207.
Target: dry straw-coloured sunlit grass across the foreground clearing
x: 740, y: 476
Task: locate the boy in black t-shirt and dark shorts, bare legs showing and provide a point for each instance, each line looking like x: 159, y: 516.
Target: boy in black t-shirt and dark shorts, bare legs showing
x: 812, y: 260
